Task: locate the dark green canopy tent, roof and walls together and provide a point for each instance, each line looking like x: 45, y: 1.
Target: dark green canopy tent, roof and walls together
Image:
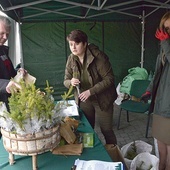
x: 115, y: 26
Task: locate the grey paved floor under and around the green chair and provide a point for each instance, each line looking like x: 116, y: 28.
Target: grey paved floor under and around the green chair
x: 129, y: 131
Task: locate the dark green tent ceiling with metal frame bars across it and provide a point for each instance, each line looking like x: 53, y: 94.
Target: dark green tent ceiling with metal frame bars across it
x: 78, y: 10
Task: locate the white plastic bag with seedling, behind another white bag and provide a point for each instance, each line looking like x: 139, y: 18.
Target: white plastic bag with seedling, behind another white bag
x: 141, y: 147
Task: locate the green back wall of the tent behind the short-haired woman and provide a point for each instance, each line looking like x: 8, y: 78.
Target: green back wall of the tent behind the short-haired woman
x: 45, y: 49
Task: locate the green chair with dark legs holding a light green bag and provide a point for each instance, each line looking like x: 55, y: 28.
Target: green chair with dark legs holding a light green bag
x: 138, y: 87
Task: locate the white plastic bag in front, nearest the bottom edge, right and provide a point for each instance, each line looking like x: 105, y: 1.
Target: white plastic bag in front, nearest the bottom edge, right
x: 145, y: 161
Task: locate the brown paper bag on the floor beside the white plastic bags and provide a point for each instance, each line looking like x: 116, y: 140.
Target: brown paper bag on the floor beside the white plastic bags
x: 115, y: 154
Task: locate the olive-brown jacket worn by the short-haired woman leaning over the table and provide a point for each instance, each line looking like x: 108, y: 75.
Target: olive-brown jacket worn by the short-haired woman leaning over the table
x: 100, y: 75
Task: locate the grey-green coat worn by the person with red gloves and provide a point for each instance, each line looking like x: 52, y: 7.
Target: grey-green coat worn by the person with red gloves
x: 160, y: 85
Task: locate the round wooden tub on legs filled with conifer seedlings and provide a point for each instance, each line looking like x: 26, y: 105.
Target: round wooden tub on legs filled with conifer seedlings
x: 32, y: 125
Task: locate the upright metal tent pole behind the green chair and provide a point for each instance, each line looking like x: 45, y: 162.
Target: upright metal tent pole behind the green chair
x: 143, y: 34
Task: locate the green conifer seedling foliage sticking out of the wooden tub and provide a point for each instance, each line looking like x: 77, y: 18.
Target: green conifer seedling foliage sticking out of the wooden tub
x: 30, y: 102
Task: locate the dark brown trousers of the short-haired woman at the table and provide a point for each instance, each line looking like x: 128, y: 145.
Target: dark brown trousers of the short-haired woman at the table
x: 92, y: 111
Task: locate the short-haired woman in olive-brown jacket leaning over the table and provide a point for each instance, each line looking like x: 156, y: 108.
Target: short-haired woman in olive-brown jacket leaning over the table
x: 89, y: 70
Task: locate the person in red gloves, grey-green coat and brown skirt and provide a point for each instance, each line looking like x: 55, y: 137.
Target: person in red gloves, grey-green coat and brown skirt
x: 159, y: 91
